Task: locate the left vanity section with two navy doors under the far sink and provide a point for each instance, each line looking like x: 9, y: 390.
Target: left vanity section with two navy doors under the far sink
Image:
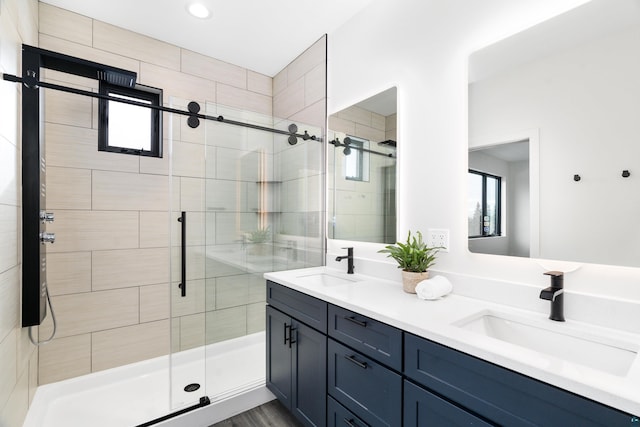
x: 296, y: 356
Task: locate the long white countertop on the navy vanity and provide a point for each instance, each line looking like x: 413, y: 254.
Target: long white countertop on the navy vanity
x: 385, y: 301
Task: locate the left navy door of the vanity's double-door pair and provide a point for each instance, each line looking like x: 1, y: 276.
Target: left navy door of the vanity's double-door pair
x: 278, y: 355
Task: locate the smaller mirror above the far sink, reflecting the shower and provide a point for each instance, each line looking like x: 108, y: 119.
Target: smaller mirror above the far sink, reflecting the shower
x: 362, y: 170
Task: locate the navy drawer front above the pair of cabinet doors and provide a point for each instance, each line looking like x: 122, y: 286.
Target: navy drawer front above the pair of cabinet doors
x: 305, y: 308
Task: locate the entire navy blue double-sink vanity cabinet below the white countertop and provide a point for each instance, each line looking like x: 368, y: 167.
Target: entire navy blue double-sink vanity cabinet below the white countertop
x: 335, y: 367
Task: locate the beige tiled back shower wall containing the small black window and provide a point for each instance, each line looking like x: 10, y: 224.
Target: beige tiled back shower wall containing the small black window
x: 109, y: 268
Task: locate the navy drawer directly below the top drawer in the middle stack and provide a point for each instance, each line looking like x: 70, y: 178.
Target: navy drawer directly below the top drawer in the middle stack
x: 368, y: 389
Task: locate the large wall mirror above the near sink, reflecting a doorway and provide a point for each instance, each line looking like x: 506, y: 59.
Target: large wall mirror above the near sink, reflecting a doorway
x: 554, y: 154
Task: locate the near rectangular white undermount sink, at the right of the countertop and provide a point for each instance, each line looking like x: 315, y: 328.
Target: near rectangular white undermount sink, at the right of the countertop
x: 576, y: 343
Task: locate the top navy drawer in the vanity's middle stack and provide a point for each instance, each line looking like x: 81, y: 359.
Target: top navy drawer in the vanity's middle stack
x: 370, y: 337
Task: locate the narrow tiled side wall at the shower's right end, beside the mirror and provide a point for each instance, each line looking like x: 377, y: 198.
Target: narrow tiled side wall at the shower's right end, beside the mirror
x: 299, y: 96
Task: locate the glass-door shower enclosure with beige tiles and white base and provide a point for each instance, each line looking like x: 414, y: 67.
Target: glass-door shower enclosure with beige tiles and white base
x: 134, y: 288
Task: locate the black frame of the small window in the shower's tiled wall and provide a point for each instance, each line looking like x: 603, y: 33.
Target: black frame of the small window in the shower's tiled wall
x: 143, y: 93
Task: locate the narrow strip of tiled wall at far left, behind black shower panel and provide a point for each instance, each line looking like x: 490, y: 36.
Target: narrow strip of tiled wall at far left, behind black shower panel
x: 18, y: 358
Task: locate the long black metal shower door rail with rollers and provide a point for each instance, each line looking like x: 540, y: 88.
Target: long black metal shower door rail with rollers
x: 292, y: 133
